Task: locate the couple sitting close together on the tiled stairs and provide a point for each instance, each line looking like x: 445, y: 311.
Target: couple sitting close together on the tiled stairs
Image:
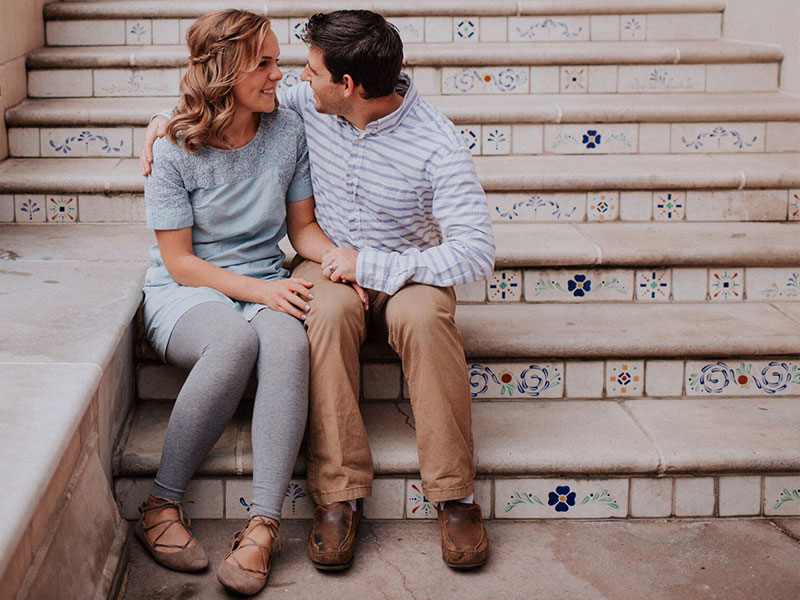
x: 395, y: 219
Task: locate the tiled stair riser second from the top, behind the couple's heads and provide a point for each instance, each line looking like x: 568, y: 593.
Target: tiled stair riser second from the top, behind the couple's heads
x: 501, y: 80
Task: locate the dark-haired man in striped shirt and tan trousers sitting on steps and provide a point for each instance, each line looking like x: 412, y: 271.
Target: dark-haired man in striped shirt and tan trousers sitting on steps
x: 396, y: 191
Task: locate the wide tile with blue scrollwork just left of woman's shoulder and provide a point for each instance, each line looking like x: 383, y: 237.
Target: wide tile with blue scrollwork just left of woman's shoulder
x: 86, y: 142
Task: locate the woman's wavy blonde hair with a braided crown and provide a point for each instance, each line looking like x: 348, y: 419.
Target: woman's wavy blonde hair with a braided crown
x: 223, y: 47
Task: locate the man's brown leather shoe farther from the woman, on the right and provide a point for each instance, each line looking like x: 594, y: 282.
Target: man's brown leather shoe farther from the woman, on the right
x: 465, y: 544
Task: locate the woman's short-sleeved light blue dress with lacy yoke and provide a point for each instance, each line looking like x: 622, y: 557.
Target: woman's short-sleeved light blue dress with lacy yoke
x: 235, y: 203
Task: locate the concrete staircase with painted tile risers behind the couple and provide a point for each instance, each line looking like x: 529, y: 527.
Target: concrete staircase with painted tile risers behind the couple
x: 638, y: 341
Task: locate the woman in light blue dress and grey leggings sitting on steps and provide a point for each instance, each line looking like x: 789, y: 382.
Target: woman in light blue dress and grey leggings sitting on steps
x: 228, y: 180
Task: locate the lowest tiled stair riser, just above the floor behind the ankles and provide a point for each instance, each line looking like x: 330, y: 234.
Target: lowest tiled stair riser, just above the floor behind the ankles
x: 749, y: 494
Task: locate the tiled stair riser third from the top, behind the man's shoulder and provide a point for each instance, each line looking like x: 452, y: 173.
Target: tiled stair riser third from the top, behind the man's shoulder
x: 486, y: 140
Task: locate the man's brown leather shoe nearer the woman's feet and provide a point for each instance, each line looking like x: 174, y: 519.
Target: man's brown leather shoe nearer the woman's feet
x: 333, y: 535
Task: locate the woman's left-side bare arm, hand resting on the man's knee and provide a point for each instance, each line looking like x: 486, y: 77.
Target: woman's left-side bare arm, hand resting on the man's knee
x: 287, y: 295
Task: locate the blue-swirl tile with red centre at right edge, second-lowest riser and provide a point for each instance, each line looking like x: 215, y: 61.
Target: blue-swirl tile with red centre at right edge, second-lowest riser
x: 736, y: 377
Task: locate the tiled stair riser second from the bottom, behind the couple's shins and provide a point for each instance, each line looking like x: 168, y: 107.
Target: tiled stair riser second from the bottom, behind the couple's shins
x: 535, y: 379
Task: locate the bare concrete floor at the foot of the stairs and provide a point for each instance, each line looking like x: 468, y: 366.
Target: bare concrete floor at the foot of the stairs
x: 723, y: 558
